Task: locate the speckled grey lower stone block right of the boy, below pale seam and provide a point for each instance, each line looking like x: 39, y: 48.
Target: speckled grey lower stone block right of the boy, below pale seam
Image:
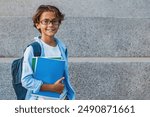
x: 111, y: 81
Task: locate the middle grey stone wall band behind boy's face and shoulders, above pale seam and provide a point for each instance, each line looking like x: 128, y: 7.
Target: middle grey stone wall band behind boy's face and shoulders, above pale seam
x: 97, y: 36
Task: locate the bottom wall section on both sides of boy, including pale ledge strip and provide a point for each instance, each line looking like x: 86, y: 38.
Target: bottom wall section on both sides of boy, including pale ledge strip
x: 97, y: 78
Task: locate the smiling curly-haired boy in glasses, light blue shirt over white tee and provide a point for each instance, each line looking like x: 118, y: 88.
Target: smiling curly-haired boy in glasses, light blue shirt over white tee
x: 47, y: 20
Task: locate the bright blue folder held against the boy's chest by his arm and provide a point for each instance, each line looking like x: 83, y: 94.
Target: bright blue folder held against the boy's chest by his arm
x: 49, y: 71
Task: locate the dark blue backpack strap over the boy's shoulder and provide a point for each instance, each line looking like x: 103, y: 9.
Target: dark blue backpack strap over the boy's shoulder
x: 36, y: 49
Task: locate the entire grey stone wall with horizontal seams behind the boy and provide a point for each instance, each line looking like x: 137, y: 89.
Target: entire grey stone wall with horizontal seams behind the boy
x: 108, y: 43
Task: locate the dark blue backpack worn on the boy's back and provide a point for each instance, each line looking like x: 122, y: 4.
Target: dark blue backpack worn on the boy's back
x: 16, y: 72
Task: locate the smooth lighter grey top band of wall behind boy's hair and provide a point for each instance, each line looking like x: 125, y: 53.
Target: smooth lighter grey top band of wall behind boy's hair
x: 80, y: 8
